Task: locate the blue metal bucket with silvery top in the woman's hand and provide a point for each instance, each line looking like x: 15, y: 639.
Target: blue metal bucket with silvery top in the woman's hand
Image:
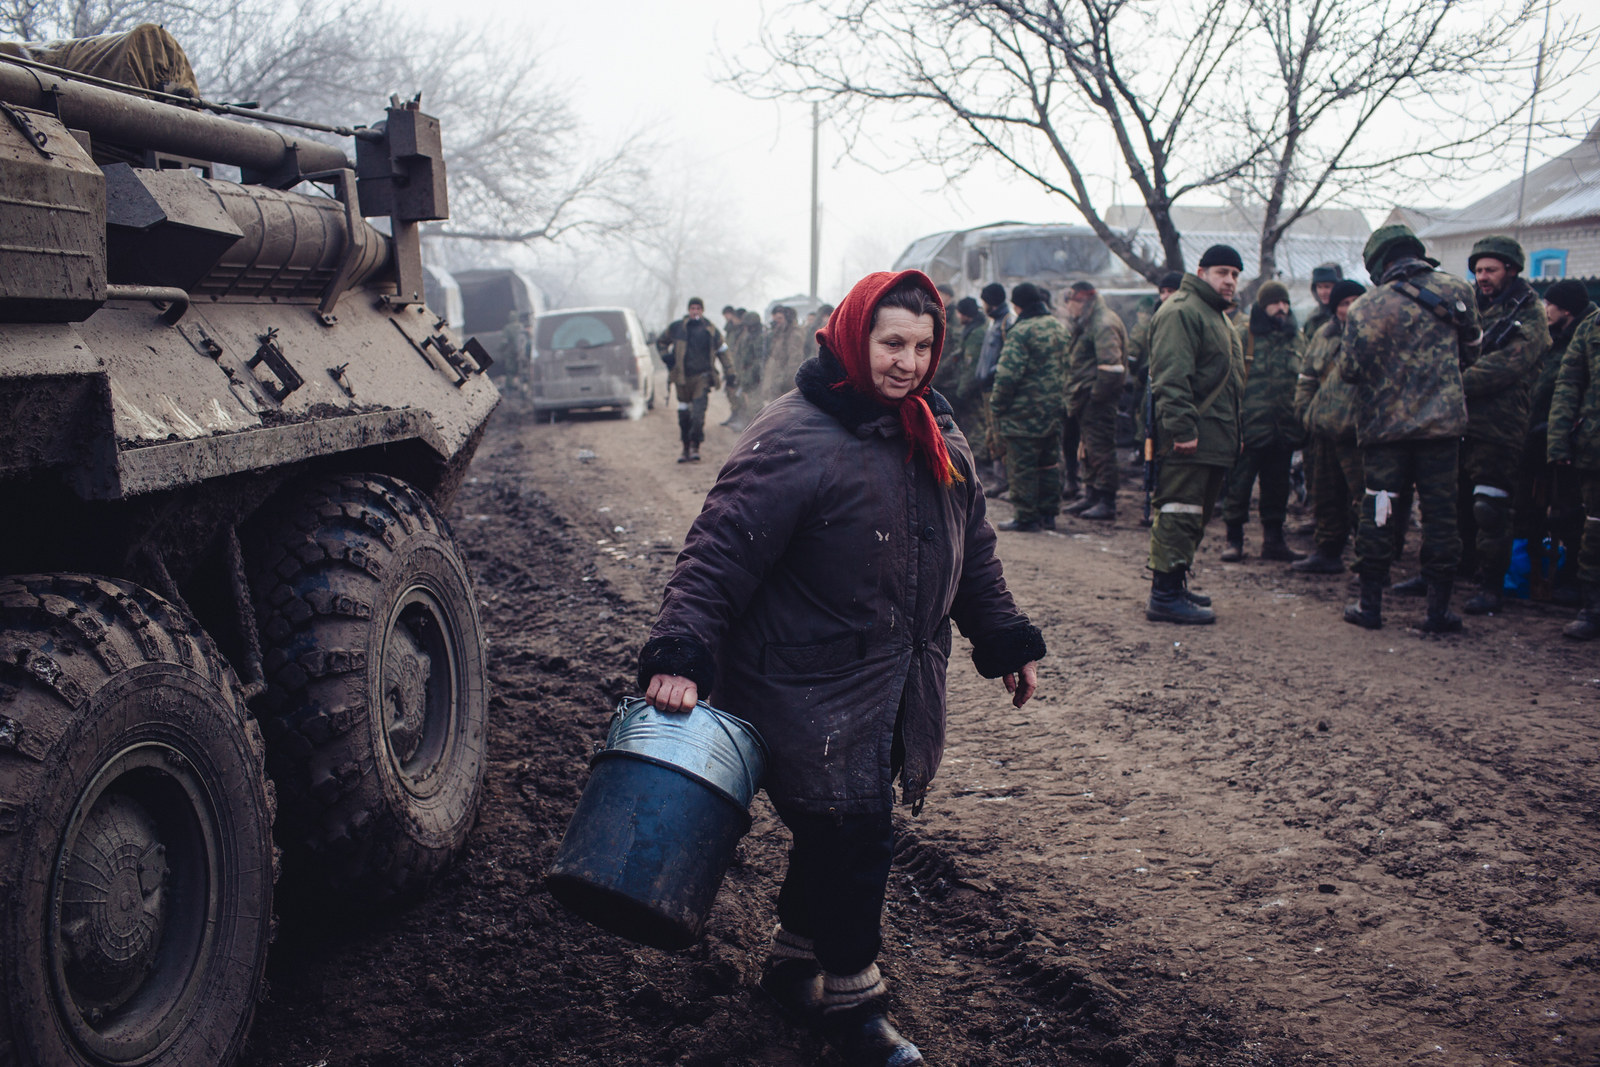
x: 666, y: 804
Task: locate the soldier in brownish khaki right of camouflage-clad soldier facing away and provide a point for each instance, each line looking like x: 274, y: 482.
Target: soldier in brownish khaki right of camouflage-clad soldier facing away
x: 1097, y: 369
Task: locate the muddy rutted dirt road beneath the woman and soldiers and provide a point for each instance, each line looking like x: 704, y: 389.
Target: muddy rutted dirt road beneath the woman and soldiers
x: 1276, y: 841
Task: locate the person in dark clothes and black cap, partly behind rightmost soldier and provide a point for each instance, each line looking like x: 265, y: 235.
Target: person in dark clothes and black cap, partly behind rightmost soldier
x: 1550, y: 503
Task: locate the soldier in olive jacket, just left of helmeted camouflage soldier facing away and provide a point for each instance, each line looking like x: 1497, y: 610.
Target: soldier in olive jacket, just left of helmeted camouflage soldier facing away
x: 1324, y: 404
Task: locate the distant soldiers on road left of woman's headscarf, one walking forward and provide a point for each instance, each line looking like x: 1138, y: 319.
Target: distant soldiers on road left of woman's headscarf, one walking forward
x: 759, y: 362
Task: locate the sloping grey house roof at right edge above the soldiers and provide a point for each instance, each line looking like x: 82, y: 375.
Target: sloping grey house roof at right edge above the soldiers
x: 1561, y: 191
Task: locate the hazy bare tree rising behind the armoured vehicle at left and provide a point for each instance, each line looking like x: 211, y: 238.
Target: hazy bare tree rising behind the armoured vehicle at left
x: 521, y: 166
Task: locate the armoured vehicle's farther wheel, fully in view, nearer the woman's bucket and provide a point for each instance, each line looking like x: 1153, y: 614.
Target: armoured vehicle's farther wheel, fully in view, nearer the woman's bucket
x: 377, y: 700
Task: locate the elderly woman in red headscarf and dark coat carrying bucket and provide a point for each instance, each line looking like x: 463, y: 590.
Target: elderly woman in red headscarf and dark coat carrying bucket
x: 814, y: 599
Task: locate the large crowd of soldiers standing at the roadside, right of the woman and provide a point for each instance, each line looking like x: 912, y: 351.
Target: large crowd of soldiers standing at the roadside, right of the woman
x: 1479, y: 402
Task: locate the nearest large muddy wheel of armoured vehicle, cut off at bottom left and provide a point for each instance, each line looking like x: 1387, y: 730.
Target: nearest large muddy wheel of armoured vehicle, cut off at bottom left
x: 137, y: 855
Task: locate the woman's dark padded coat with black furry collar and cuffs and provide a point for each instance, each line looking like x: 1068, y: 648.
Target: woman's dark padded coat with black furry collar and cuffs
x: 817, y: 589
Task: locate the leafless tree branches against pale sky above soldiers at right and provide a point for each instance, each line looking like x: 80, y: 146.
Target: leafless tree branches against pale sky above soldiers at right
x: 1025, y: 79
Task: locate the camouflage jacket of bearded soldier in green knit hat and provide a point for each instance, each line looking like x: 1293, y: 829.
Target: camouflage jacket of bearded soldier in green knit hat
x: 1500, y: 380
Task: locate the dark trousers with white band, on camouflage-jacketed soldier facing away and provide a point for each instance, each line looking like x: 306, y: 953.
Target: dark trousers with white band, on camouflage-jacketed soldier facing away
x: 1388, y: 473
